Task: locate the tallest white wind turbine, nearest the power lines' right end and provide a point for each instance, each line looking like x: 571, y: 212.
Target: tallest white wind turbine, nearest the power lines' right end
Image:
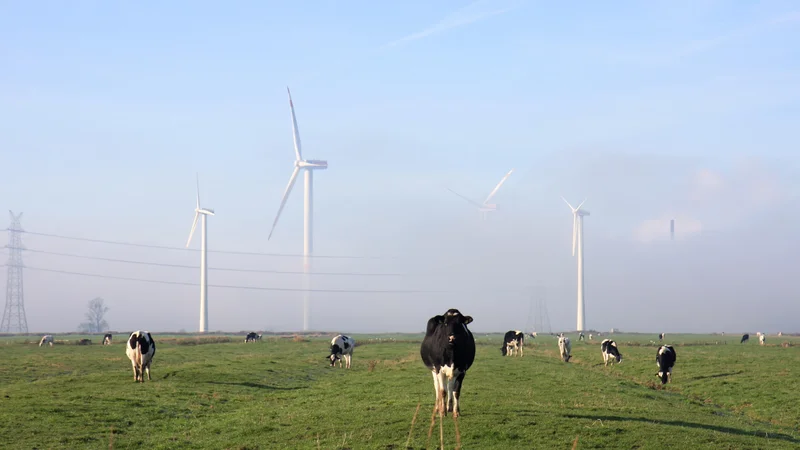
x: 308, y: 166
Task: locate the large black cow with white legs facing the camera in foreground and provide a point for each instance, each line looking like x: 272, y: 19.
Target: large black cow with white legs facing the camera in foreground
x: 448, y: 350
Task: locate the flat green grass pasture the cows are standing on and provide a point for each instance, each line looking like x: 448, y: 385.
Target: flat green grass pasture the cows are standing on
x: 280, y: 393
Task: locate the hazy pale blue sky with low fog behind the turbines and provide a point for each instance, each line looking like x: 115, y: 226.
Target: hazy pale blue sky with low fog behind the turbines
x: 648, y: 110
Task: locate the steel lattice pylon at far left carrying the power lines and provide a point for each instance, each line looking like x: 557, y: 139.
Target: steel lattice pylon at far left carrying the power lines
x: 14, y: 320
